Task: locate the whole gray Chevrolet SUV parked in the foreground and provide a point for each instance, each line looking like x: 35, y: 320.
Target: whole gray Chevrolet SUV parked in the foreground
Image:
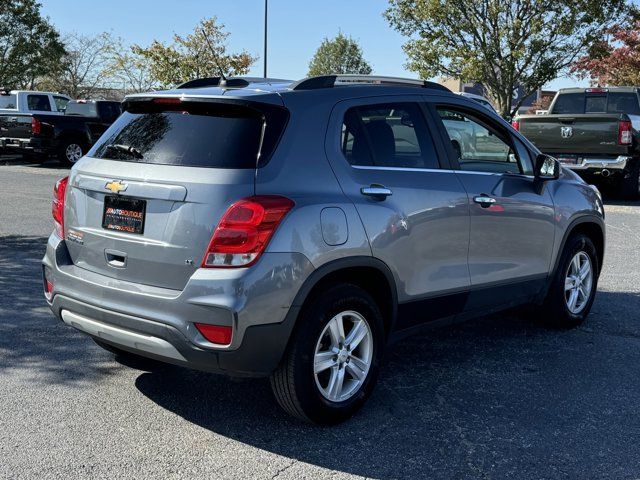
x: 296, y: 229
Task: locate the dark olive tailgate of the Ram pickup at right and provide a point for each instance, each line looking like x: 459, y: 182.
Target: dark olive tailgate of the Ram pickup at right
x: 574, y: 134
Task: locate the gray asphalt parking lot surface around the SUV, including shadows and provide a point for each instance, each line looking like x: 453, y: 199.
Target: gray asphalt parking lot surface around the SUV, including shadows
x: 499, y: 397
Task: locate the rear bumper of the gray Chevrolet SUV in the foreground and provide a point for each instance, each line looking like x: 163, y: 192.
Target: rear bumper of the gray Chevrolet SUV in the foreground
x: 159, y: 324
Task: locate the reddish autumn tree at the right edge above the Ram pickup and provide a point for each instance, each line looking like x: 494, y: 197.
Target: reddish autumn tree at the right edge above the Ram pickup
x: 616, y: 59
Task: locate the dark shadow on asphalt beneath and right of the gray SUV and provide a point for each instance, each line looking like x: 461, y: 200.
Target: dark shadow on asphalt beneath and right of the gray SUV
x: 483, y: 399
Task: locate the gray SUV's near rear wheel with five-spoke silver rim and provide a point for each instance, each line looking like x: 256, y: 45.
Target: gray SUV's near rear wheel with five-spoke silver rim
x: 327, y: 374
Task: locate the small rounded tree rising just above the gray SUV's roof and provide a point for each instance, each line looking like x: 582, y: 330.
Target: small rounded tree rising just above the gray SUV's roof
x: 341, y: 54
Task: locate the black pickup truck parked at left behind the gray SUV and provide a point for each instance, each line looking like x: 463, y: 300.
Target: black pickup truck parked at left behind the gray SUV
x: 68, y: 136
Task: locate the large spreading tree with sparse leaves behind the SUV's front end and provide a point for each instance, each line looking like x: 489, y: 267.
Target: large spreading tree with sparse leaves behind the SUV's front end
x: 502, y: 44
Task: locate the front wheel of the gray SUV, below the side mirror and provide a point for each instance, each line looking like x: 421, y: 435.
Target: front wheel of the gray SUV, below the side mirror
x: 573, y: 288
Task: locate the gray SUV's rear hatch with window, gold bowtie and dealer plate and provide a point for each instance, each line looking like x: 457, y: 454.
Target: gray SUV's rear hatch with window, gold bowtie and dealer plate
x: 144, y: 203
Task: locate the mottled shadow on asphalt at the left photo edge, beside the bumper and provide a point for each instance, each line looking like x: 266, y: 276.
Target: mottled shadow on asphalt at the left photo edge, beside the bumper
x: 30, y: 337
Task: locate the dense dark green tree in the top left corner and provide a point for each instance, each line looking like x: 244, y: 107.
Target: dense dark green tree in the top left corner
x: 30, y: 47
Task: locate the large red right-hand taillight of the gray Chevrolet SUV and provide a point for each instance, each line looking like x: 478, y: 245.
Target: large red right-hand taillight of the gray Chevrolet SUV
x: 244, y: 231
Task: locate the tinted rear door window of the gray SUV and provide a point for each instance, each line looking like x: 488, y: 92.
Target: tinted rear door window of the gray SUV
x: 388, y: 135
